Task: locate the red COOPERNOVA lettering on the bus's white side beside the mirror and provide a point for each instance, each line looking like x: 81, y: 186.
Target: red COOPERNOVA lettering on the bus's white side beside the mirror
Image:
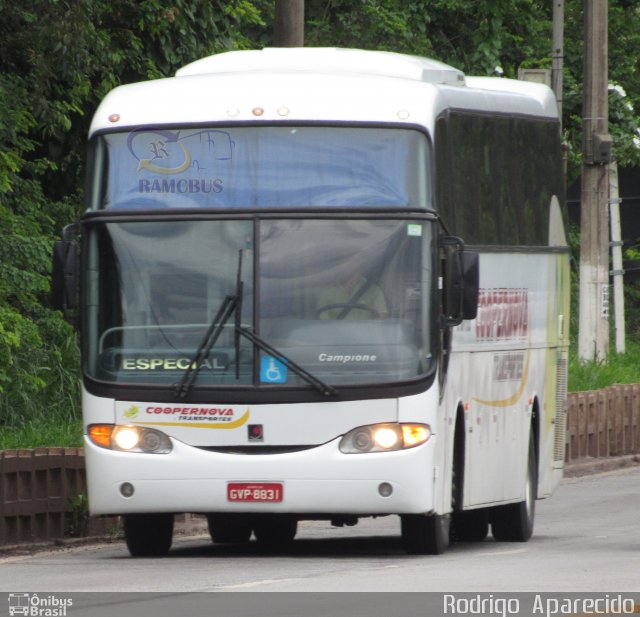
x: 503, y: 314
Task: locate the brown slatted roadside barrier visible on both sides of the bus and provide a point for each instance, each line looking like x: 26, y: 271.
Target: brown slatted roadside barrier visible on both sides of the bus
x: 43, y: 491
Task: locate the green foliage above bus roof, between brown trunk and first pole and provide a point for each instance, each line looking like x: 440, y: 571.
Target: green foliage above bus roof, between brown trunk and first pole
x: 474, y: 35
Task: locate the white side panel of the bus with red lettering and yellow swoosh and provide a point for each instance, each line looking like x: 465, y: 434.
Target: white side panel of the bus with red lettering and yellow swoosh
x: 501, y: 373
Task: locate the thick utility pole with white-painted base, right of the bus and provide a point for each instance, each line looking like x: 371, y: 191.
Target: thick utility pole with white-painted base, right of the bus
x: 593, y: 339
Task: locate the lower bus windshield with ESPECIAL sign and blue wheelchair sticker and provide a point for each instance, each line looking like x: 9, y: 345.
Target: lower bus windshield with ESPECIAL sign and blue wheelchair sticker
x: 348, y: 300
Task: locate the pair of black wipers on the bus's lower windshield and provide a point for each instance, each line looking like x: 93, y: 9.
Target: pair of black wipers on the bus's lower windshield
x: 230, y: 305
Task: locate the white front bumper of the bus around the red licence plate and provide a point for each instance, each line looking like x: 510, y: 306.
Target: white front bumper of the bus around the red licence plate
x: 317, y: 481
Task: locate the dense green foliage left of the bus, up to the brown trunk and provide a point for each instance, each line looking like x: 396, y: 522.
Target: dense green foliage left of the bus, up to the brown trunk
x: 59, y: 58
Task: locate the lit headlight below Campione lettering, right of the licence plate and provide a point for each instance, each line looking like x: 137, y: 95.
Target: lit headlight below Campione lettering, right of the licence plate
x: 384, y: 438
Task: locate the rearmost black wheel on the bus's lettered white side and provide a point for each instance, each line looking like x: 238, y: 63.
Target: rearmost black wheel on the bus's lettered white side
x: 514, y: 523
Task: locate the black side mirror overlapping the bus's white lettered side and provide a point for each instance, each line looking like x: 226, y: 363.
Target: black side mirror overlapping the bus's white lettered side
x: 460, y: 281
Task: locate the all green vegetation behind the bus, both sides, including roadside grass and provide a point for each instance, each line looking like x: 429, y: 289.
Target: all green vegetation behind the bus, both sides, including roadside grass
x: 59, y: 58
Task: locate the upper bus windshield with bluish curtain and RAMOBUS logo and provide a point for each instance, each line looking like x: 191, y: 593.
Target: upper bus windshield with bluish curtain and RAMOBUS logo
x: 261, y: 167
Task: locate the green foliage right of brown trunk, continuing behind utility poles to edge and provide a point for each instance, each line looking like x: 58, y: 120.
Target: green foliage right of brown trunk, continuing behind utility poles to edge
x: 488, y: 37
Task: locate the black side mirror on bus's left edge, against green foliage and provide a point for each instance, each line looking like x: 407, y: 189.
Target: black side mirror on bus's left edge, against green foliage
x: 64, y: 275
